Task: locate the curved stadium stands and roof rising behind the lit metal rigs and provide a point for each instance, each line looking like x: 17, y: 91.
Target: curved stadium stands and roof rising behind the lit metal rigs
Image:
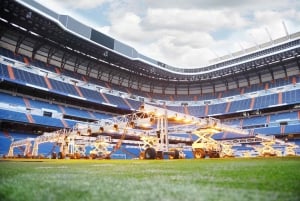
x: 56, y: 72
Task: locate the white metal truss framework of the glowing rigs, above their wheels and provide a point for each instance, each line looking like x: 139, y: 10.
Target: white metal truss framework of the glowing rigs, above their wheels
x: 141, y: 126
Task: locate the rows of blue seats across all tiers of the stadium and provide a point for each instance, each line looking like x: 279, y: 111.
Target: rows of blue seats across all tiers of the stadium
x: 237, y: 100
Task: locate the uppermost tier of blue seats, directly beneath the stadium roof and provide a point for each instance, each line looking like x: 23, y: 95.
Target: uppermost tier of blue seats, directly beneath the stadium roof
x: 70, y: 89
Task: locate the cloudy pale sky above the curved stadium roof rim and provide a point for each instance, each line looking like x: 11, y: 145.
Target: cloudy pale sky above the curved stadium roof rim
x: 186, y: 33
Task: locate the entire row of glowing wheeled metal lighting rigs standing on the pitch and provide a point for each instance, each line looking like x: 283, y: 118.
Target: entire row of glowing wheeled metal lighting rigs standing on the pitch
x: 154, y: 140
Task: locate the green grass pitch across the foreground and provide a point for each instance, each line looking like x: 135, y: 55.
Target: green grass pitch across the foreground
x: 159, y: 180
